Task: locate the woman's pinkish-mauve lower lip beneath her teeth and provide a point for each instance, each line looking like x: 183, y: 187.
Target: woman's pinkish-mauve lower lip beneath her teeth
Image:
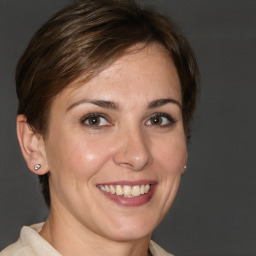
x: 131, y: 201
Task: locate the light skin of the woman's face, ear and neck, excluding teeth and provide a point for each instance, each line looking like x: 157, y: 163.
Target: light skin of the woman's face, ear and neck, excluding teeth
x: 123, y: 126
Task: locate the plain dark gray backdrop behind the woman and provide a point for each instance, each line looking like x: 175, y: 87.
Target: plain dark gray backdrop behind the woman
x: 215, y: 210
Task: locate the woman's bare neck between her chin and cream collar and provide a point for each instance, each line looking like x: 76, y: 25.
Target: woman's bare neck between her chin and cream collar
x: 73, y: 239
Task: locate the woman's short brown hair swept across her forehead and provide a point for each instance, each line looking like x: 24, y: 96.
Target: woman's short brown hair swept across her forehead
x: 83, y: 39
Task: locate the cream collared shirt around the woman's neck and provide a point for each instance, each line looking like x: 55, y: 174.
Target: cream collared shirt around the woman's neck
x: 31, y: 243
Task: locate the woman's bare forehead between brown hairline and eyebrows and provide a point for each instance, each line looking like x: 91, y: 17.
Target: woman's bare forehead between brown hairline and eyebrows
x: 142, y: 72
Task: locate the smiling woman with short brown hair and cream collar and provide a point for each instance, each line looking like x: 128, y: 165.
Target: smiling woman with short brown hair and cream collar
x: 106, y: 93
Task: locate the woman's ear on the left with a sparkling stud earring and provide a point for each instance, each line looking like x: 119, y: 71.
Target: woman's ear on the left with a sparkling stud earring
x: 32, y: 146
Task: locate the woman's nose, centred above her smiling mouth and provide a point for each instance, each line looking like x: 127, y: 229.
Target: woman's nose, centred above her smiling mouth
x: 133, y: 150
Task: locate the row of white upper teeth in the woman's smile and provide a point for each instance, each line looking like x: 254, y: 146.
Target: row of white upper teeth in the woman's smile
x: 126, y: 190
